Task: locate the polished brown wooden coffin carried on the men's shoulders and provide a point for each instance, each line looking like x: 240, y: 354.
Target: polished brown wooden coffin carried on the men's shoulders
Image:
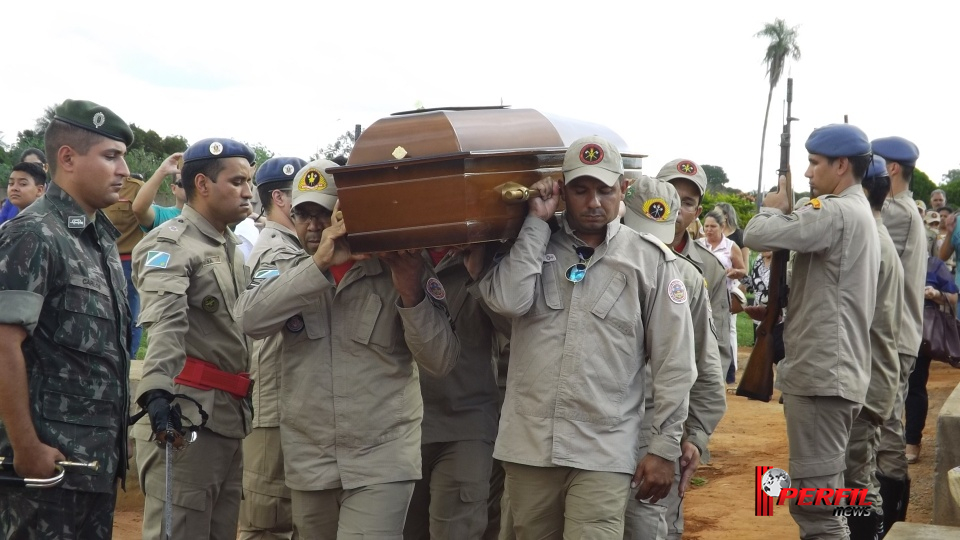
x: 444, y: 177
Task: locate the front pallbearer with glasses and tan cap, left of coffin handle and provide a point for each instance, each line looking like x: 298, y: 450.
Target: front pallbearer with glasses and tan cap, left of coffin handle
x: 356, y: 333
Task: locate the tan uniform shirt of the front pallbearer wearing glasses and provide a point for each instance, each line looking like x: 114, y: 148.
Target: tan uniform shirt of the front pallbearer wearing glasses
x: 350, y: 390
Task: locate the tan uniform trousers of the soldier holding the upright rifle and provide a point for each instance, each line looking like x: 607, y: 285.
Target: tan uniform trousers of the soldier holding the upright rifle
x: 818, y: 430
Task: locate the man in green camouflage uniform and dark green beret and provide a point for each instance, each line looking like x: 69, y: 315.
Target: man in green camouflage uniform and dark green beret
x: 63, y: 334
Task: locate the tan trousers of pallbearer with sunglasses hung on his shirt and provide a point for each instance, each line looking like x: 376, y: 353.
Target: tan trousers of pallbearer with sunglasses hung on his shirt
x: 563, y: 502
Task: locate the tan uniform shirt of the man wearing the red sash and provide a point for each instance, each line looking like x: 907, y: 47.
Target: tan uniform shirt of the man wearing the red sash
x: 189, y: 277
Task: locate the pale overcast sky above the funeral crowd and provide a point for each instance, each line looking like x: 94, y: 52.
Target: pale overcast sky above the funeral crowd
x: 673, y: 78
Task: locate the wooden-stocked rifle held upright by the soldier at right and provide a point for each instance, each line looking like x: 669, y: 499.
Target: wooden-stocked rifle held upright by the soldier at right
x: 757, y: 380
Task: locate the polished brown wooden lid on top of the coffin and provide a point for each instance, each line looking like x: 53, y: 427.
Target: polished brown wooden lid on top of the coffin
x: 427, y: 135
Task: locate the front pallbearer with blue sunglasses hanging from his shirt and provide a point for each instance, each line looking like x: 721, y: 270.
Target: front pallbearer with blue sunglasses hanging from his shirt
x: 592, y: 303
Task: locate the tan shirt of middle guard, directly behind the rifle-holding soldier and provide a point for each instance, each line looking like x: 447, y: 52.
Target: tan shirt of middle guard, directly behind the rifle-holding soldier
x: 884, y: 331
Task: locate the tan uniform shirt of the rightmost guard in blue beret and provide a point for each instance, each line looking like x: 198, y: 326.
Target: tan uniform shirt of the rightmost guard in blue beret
x: 902, y: 220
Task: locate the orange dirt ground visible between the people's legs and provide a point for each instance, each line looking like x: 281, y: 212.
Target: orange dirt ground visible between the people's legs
x: 751, y: 434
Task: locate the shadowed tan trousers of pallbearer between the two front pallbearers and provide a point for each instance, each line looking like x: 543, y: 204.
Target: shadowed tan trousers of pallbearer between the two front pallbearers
x: 450, y: 501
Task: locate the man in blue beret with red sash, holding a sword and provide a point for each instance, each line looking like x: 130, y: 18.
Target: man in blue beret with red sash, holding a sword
x: 189, y: 274
